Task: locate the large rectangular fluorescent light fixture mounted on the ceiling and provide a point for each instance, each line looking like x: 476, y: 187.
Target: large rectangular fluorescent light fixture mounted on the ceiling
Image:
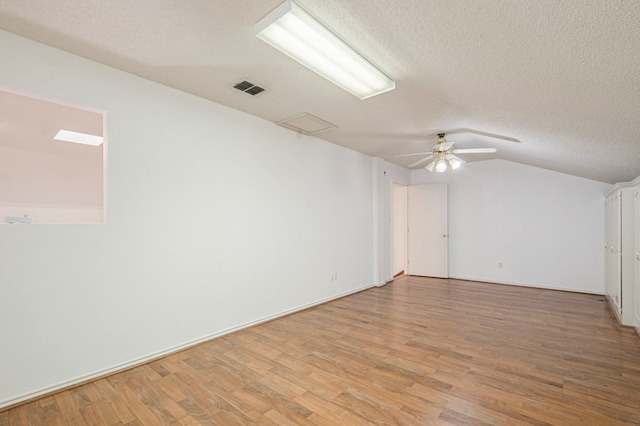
x: 299, y: 35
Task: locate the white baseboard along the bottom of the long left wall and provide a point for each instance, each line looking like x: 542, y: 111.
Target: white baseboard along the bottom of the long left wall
x: 151, y: 357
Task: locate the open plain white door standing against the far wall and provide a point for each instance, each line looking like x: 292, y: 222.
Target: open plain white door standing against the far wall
x: 428, y: 234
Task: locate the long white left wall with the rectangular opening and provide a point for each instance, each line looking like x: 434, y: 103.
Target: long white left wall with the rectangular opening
x: 216, y: 219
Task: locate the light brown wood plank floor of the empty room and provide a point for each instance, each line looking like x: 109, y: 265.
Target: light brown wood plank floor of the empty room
x: 415, y: 352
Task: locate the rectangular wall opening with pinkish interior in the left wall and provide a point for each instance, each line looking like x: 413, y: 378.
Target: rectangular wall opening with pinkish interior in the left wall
x: 43, y: 179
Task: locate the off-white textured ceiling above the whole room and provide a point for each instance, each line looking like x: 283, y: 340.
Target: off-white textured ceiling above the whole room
x: 562, y: 77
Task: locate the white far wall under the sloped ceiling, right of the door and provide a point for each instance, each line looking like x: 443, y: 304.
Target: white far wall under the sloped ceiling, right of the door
x: 545, y: 227
